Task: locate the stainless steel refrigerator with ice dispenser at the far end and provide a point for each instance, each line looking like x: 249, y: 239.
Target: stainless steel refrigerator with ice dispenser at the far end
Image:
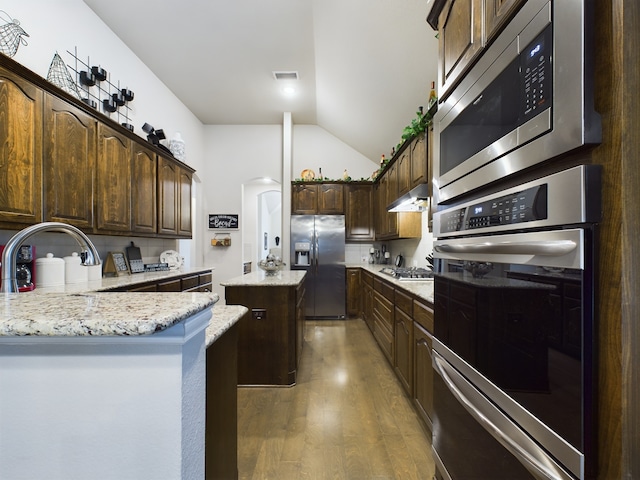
x: 317, y: 246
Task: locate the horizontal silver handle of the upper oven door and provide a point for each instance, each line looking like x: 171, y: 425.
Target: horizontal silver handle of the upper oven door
x: 551, y: 247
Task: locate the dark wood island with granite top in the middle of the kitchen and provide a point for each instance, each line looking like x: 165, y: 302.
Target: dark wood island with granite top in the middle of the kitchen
x: 270, y: 339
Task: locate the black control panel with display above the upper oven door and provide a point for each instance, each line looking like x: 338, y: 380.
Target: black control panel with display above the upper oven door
x: 525, y: 206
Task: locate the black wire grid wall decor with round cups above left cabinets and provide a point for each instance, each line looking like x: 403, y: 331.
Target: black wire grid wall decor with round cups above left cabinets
x: 97, y: 89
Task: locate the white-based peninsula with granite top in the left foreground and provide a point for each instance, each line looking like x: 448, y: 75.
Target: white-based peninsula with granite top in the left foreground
x: 107, y: 385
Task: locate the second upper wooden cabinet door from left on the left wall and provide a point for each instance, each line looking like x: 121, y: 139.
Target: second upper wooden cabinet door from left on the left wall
x: 69, y: 163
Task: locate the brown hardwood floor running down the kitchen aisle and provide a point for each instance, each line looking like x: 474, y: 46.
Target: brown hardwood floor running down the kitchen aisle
x: 347, y: 417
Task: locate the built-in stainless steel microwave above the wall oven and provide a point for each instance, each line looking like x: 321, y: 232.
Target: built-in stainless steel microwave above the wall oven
x: 527, y: 100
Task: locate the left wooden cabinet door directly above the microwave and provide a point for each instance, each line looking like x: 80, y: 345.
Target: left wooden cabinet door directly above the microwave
x: 459, y: 40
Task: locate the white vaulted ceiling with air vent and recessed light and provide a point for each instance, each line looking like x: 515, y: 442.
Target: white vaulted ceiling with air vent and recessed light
x: 364, y: 66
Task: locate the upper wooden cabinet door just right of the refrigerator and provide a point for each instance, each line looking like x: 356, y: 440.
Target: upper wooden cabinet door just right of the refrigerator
x: 359, y: 213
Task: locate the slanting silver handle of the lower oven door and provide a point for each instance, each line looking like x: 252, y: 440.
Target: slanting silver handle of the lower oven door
x: 532, y: 457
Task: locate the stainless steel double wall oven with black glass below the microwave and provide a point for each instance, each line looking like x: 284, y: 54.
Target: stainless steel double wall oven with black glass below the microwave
x: 514, y: 345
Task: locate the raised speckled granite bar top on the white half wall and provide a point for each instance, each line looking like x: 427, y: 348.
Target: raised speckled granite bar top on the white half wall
x: 97, y: 313
